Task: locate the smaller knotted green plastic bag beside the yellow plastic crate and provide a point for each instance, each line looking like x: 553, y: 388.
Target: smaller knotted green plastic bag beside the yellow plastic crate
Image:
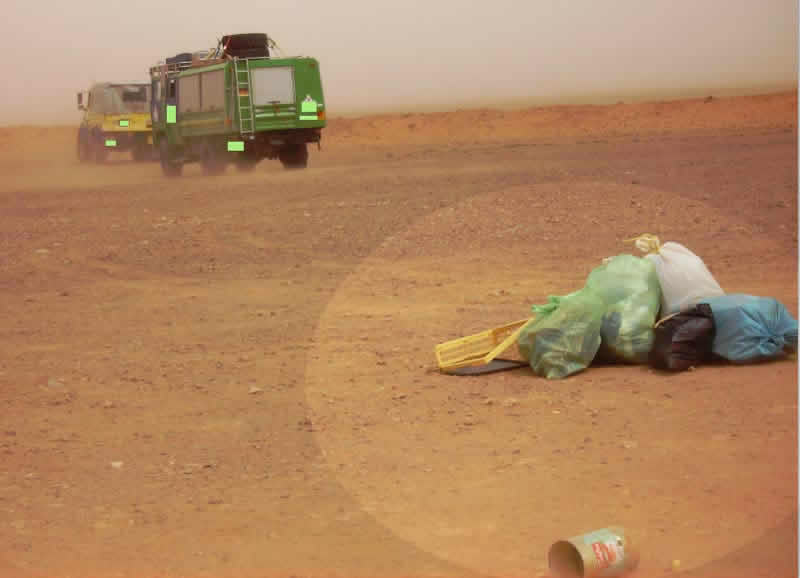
x: 565, y: 336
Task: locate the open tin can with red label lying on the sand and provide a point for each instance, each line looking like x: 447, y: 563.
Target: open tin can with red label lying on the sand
x: 605, y: 552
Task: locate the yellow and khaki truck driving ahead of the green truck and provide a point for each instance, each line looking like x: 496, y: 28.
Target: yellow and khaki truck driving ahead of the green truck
x: 116, y: 118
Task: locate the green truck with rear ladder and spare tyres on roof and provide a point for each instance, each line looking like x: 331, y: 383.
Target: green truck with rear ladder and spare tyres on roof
x: 235, y: 104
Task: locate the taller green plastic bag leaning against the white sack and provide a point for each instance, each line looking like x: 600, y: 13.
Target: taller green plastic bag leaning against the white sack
x: 630, y: 289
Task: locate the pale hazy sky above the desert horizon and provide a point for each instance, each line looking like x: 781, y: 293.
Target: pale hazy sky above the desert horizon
x: 403, y: 55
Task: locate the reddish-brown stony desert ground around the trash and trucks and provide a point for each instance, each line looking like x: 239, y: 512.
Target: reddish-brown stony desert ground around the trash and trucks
x: 234, y: 376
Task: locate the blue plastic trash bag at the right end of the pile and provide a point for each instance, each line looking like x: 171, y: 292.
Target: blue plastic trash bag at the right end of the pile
x: 750, y: 328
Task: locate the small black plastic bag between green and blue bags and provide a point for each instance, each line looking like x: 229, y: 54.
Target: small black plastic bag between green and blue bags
x: 684, y: 340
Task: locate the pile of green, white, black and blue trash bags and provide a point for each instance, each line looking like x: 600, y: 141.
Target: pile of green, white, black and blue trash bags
x: 664, y: 309
